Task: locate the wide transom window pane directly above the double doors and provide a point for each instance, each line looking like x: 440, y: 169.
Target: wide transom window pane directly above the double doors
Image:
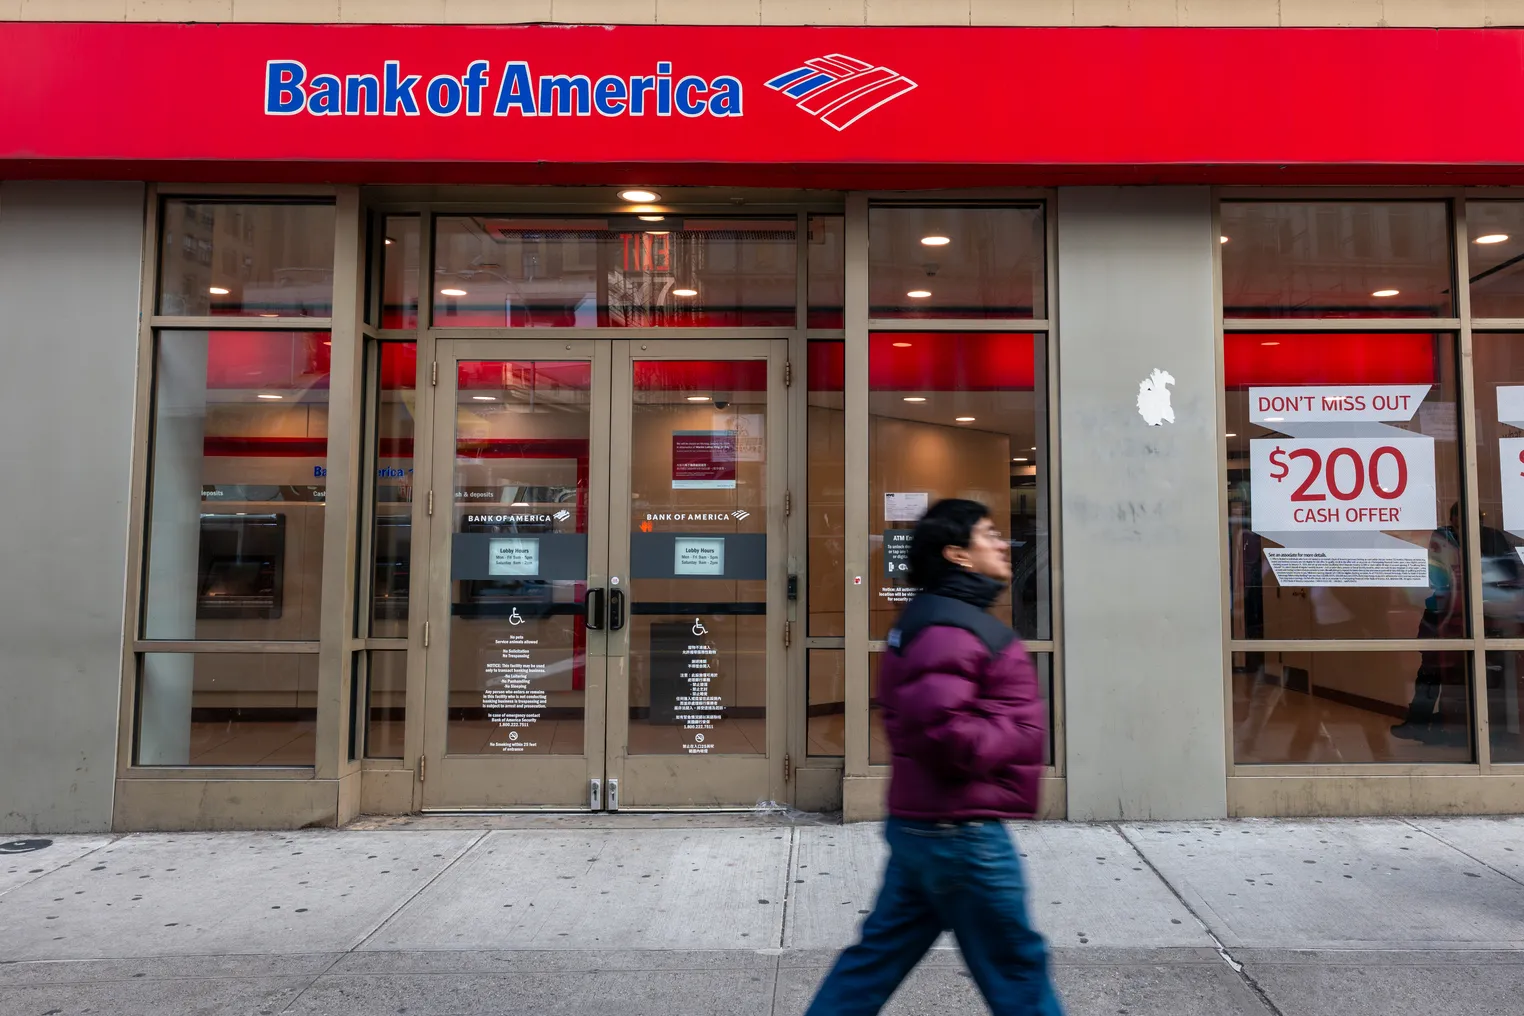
x: 498, y: 272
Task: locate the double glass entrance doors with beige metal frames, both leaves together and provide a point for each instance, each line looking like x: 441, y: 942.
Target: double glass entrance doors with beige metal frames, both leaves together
x: 607, y: 575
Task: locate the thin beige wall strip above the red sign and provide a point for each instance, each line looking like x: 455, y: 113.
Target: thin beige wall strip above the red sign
x: 1046, y: 13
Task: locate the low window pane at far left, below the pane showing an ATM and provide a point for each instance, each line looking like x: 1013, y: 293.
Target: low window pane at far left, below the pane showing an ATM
x: 226, y: 709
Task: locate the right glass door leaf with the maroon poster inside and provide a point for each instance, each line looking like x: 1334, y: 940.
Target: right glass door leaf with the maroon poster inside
x: 699, y: 563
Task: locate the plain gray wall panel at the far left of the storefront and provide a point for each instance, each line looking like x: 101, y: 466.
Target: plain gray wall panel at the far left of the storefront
x: 71, y: 260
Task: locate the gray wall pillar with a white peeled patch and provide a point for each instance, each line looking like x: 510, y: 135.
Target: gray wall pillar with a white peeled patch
x: 1142, y: 560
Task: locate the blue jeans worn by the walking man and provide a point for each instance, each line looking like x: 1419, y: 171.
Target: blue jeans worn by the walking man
x: 947, y: 875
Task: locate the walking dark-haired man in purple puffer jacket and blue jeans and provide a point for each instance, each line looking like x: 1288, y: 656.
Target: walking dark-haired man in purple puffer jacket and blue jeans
x: 967, y: 726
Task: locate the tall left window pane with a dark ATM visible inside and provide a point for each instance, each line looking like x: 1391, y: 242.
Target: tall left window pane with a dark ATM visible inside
x: 239, y: 476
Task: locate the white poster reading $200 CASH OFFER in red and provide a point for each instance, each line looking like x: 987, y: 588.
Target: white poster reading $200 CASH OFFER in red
x: 1317, y: 485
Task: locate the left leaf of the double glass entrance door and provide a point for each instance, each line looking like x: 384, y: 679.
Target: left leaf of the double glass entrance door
x: 516, y: 680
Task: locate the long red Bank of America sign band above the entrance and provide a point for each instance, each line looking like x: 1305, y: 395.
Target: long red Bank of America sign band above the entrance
x: 935, y: 106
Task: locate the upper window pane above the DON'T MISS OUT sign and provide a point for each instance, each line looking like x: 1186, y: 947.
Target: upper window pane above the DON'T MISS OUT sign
x: 1337, y: 260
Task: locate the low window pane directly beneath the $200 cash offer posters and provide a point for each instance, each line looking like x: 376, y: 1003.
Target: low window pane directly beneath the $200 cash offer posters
x: 1351, y: 708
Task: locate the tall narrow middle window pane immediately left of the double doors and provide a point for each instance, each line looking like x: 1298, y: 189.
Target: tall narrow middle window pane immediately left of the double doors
x: 395, y: 403
